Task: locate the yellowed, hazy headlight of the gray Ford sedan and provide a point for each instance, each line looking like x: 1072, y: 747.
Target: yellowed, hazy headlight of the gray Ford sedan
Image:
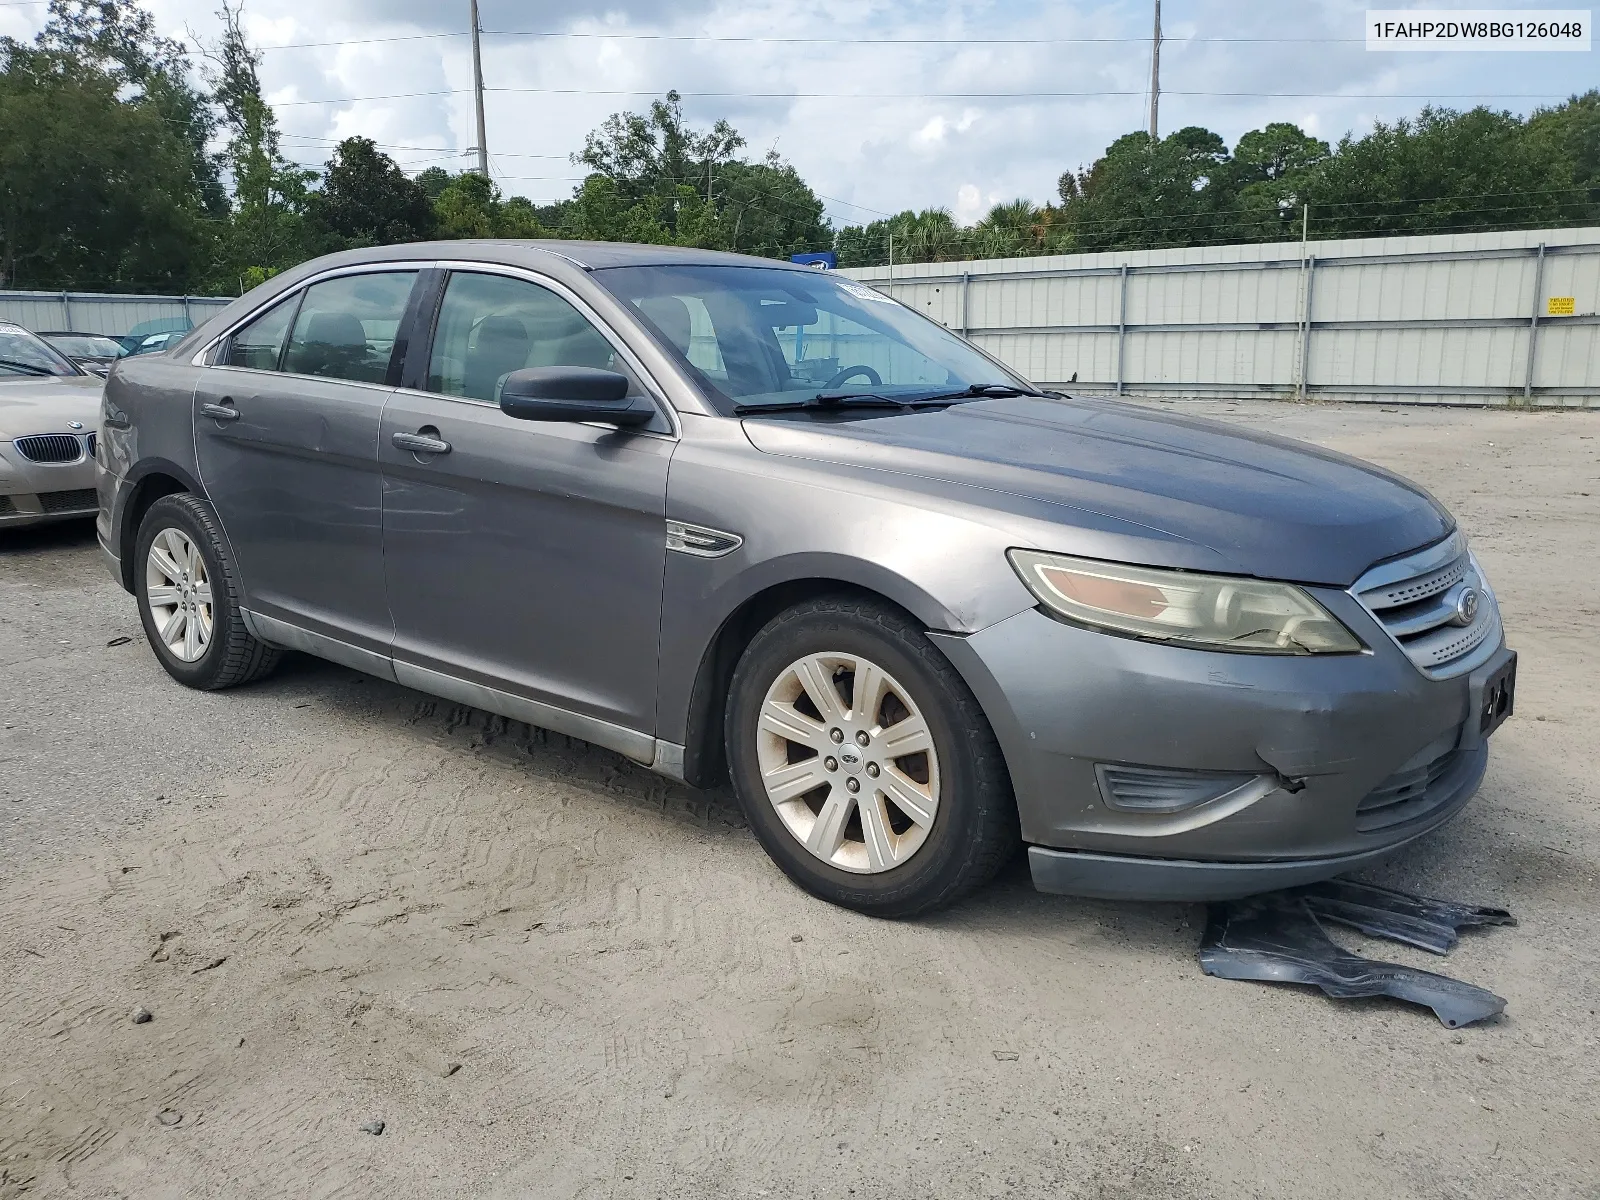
x: 1199, y: 610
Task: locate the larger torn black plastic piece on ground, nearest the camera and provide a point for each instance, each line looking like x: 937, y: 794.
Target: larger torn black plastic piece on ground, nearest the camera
x: 1279, y: 940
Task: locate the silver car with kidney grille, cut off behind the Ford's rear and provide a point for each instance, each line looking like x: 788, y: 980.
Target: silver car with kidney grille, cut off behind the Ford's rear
x: 49, y: 415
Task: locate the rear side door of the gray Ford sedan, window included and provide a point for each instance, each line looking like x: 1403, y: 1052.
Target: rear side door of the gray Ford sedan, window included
x: 287, y: 442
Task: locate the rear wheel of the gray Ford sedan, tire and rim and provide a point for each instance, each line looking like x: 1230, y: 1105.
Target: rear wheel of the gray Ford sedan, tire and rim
x: 226, y: 654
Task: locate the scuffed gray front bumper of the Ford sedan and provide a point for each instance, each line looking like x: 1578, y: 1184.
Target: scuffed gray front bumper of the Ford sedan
x: 1321, y: 737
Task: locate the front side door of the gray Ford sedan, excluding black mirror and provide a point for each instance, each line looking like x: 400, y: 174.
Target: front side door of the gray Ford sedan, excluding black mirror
x: 529, y: 556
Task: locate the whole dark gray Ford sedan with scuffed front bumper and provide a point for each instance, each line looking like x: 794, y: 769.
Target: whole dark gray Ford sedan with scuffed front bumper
x: 754, y: 522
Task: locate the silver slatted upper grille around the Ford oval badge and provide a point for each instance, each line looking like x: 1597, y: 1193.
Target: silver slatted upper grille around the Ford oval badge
x: 1415, y: 602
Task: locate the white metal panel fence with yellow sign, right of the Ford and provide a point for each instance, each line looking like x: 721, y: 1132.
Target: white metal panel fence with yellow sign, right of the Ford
x: 1447, y: 319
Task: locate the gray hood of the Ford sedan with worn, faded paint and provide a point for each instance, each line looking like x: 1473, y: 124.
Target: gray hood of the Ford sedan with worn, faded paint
x: 1265, y: 506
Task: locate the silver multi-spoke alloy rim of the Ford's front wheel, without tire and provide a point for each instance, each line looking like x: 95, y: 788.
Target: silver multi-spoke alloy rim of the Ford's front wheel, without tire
x: 849, y: 762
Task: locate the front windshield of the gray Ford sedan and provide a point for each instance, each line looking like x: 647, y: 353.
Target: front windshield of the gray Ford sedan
x: 756, y: 335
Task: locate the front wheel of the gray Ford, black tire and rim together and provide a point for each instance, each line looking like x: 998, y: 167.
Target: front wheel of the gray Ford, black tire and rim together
x: 873, y: 850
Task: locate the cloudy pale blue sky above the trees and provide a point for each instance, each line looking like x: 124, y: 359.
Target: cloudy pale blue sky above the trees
x: 881, y: 106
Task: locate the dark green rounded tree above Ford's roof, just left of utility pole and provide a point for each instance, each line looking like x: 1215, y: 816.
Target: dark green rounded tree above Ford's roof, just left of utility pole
x: 367, y: 201
